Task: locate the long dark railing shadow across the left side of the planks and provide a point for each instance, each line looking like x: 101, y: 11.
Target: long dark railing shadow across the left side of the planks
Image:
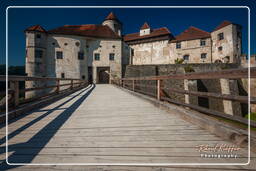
x: 54, y: 126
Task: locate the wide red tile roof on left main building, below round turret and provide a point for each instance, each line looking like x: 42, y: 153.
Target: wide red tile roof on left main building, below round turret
x: 89, y: 30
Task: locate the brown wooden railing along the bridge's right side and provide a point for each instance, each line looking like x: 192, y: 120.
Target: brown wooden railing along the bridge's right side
x: 155, y: 86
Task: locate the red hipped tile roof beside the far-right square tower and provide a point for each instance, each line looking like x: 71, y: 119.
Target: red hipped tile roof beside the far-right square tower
x: 192, y: 33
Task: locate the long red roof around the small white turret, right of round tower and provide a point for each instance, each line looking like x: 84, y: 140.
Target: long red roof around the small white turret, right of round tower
x: 155, y: 33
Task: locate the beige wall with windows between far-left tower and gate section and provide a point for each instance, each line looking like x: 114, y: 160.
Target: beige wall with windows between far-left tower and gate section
x: 70, y: 65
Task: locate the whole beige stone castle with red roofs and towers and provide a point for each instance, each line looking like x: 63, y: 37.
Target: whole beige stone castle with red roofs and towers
x: 98, y: 53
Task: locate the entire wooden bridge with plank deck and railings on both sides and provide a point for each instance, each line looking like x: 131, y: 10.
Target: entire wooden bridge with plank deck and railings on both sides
x: 114, y: 124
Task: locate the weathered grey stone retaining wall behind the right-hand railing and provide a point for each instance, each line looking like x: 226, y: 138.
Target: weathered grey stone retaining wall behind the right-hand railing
x: 208, y: 85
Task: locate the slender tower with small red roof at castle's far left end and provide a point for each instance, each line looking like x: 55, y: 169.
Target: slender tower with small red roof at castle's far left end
x: 35, y: 57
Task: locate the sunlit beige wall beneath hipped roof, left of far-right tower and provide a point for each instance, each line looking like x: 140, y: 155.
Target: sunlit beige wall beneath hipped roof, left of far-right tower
x: 193, y: 49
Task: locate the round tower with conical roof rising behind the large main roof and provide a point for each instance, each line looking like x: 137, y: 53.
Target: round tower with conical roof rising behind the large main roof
x: 112, y: 21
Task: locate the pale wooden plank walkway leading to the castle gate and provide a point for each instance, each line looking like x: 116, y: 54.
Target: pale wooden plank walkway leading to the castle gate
x: 108, y: 125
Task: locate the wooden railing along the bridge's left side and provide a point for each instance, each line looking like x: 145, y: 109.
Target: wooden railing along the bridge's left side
x: 51, y: 86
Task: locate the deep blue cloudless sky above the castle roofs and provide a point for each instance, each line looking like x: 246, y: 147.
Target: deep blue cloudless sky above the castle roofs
x: 175, y: 19
